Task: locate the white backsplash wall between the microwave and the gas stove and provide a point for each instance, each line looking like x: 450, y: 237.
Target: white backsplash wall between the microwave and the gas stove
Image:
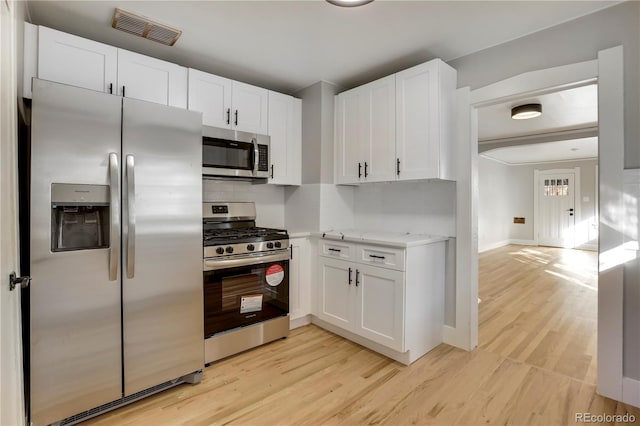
x: 269, y: 199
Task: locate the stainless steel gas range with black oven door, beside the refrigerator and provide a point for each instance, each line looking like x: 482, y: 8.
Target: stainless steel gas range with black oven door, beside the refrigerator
x: 246, y: 280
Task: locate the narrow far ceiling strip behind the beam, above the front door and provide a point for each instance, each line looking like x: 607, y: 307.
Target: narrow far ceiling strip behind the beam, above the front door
x: 575, y: 149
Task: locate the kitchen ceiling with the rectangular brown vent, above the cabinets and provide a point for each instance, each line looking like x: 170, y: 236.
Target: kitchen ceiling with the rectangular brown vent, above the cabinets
x: 289, y: 45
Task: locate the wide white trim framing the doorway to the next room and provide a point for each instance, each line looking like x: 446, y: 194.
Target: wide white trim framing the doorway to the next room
x: 607, y: 71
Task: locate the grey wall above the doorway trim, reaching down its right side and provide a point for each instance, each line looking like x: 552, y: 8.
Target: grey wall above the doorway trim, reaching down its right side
x: 575, y: 41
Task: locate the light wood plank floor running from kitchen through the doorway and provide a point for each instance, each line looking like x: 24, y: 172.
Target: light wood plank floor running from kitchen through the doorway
x: 535, y: 365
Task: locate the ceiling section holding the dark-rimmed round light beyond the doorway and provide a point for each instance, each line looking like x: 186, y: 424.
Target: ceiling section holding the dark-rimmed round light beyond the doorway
x: 569, y: 109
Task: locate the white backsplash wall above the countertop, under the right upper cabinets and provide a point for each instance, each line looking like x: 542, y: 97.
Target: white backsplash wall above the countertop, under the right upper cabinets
x: 417, y: 207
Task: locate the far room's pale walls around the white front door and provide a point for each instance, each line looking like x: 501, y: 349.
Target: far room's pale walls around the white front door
x: 506, y: 191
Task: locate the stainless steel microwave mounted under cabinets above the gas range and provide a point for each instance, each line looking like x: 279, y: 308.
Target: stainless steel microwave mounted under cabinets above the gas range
x: 231, y: 153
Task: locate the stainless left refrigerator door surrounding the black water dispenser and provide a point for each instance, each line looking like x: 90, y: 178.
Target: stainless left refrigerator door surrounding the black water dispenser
x: 75, y: 311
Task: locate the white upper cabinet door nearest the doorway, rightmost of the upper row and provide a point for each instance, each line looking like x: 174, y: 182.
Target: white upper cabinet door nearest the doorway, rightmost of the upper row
x: 417, y: 121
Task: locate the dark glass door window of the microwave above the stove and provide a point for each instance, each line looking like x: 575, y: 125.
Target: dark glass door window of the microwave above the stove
x: 221, y: 153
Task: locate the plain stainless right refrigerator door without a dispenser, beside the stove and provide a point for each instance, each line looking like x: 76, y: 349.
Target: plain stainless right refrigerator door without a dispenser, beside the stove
x: 162, y: 302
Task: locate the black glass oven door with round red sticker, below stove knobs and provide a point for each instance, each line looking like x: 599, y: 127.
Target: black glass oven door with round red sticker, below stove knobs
x: 245, y: 294
